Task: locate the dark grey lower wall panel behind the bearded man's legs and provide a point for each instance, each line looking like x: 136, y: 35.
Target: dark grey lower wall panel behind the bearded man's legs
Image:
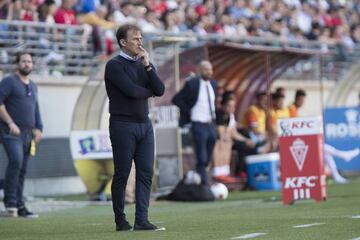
x: 53, y: 159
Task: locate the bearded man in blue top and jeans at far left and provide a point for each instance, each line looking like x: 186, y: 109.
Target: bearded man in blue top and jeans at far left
x: 20, y: 128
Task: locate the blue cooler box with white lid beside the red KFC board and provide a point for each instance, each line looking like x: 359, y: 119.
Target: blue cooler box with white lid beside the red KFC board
x: 264, y: 171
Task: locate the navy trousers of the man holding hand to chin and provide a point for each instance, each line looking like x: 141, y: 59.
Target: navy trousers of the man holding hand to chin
x: 132, y: 141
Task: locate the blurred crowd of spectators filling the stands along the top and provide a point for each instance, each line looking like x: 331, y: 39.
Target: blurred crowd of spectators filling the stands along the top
x: 325, y: 20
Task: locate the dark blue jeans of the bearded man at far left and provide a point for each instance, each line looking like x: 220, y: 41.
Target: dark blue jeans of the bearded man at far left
x: 17, y: 149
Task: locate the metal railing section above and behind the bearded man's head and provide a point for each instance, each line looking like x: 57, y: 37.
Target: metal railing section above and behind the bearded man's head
x: 56, y: 48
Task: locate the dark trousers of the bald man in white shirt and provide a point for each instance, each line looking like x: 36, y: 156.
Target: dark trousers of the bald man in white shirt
x: 204, y: 136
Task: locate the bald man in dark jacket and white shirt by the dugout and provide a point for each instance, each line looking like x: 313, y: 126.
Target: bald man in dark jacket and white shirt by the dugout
x: 197, y: 105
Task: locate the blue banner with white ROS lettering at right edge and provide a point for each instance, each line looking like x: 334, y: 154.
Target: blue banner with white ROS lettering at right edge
x: 342, y: 137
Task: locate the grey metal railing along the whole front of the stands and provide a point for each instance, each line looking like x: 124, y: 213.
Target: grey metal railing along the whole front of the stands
x: 64, y: 49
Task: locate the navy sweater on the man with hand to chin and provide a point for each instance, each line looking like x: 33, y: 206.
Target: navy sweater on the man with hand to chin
x: 128, y: 86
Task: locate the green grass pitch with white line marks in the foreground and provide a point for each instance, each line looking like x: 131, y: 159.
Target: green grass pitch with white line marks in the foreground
x: 242, y: 213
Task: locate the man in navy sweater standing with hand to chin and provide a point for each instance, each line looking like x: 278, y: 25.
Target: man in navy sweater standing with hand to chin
x: 130, y: 80
